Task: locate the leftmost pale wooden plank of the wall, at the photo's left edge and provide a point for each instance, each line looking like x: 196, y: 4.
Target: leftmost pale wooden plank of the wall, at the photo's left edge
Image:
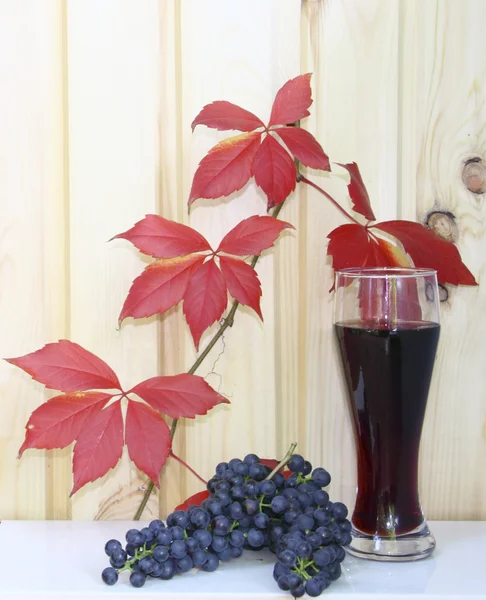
x: 32, y: 242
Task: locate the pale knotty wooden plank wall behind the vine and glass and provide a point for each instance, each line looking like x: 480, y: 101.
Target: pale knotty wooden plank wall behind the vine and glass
x: 95, y: 112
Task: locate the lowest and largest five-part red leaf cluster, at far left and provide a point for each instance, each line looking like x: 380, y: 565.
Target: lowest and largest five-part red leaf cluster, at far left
x: 93, y: 419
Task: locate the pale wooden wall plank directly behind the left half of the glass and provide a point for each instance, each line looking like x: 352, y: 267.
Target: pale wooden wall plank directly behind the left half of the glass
x: 351, y: 47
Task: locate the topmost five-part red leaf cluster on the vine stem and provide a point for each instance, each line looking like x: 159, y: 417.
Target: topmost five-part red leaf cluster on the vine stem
x: 260, y: 151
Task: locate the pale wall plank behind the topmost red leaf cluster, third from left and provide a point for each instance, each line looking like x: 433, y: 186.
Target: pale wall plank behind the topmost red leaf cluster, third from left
x: 260, y: 42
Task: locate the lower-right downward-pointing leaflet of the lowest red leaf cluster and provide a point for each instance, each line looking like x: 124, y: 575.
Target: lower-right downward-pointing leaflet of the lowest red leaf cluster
x: 147, y: 436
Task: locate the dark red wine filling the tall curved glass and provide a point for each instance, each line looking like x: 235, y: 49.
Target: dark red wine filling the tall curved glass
x: 388, y: 375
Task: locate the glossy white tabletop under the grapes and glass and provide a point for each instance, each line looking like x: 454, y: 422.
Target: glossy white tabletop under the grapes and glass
x: 64, y: 559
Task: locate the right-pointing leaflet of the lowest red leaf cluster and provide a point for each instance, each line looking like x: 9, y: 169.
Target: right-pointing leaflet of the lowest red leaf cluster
x: 178, y: 396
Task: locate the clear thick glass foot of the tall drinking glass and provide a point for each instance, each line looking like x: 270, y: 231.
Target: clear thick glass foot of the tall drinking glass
x: 415, y: 545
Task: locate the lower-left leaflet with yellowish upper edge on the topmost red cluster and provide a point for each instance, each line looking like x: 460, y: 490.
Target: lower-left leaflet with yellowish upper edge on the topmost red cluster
x: 226, y: 168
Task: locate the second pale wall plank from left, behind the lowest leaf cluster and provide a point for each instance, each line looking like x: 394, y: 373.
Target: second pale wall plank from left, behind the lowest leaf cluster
x: 113, y: 58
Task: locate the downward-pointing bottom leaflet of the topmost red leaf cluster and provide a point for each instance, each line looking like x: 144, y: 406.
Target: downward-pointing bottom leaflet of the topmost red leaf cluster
x: 274, y: 171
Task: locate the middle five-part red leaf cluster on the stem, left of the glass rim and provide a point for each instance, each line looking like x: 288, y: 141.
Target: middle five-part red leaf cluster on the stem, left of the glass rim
x: 186, y: 269
